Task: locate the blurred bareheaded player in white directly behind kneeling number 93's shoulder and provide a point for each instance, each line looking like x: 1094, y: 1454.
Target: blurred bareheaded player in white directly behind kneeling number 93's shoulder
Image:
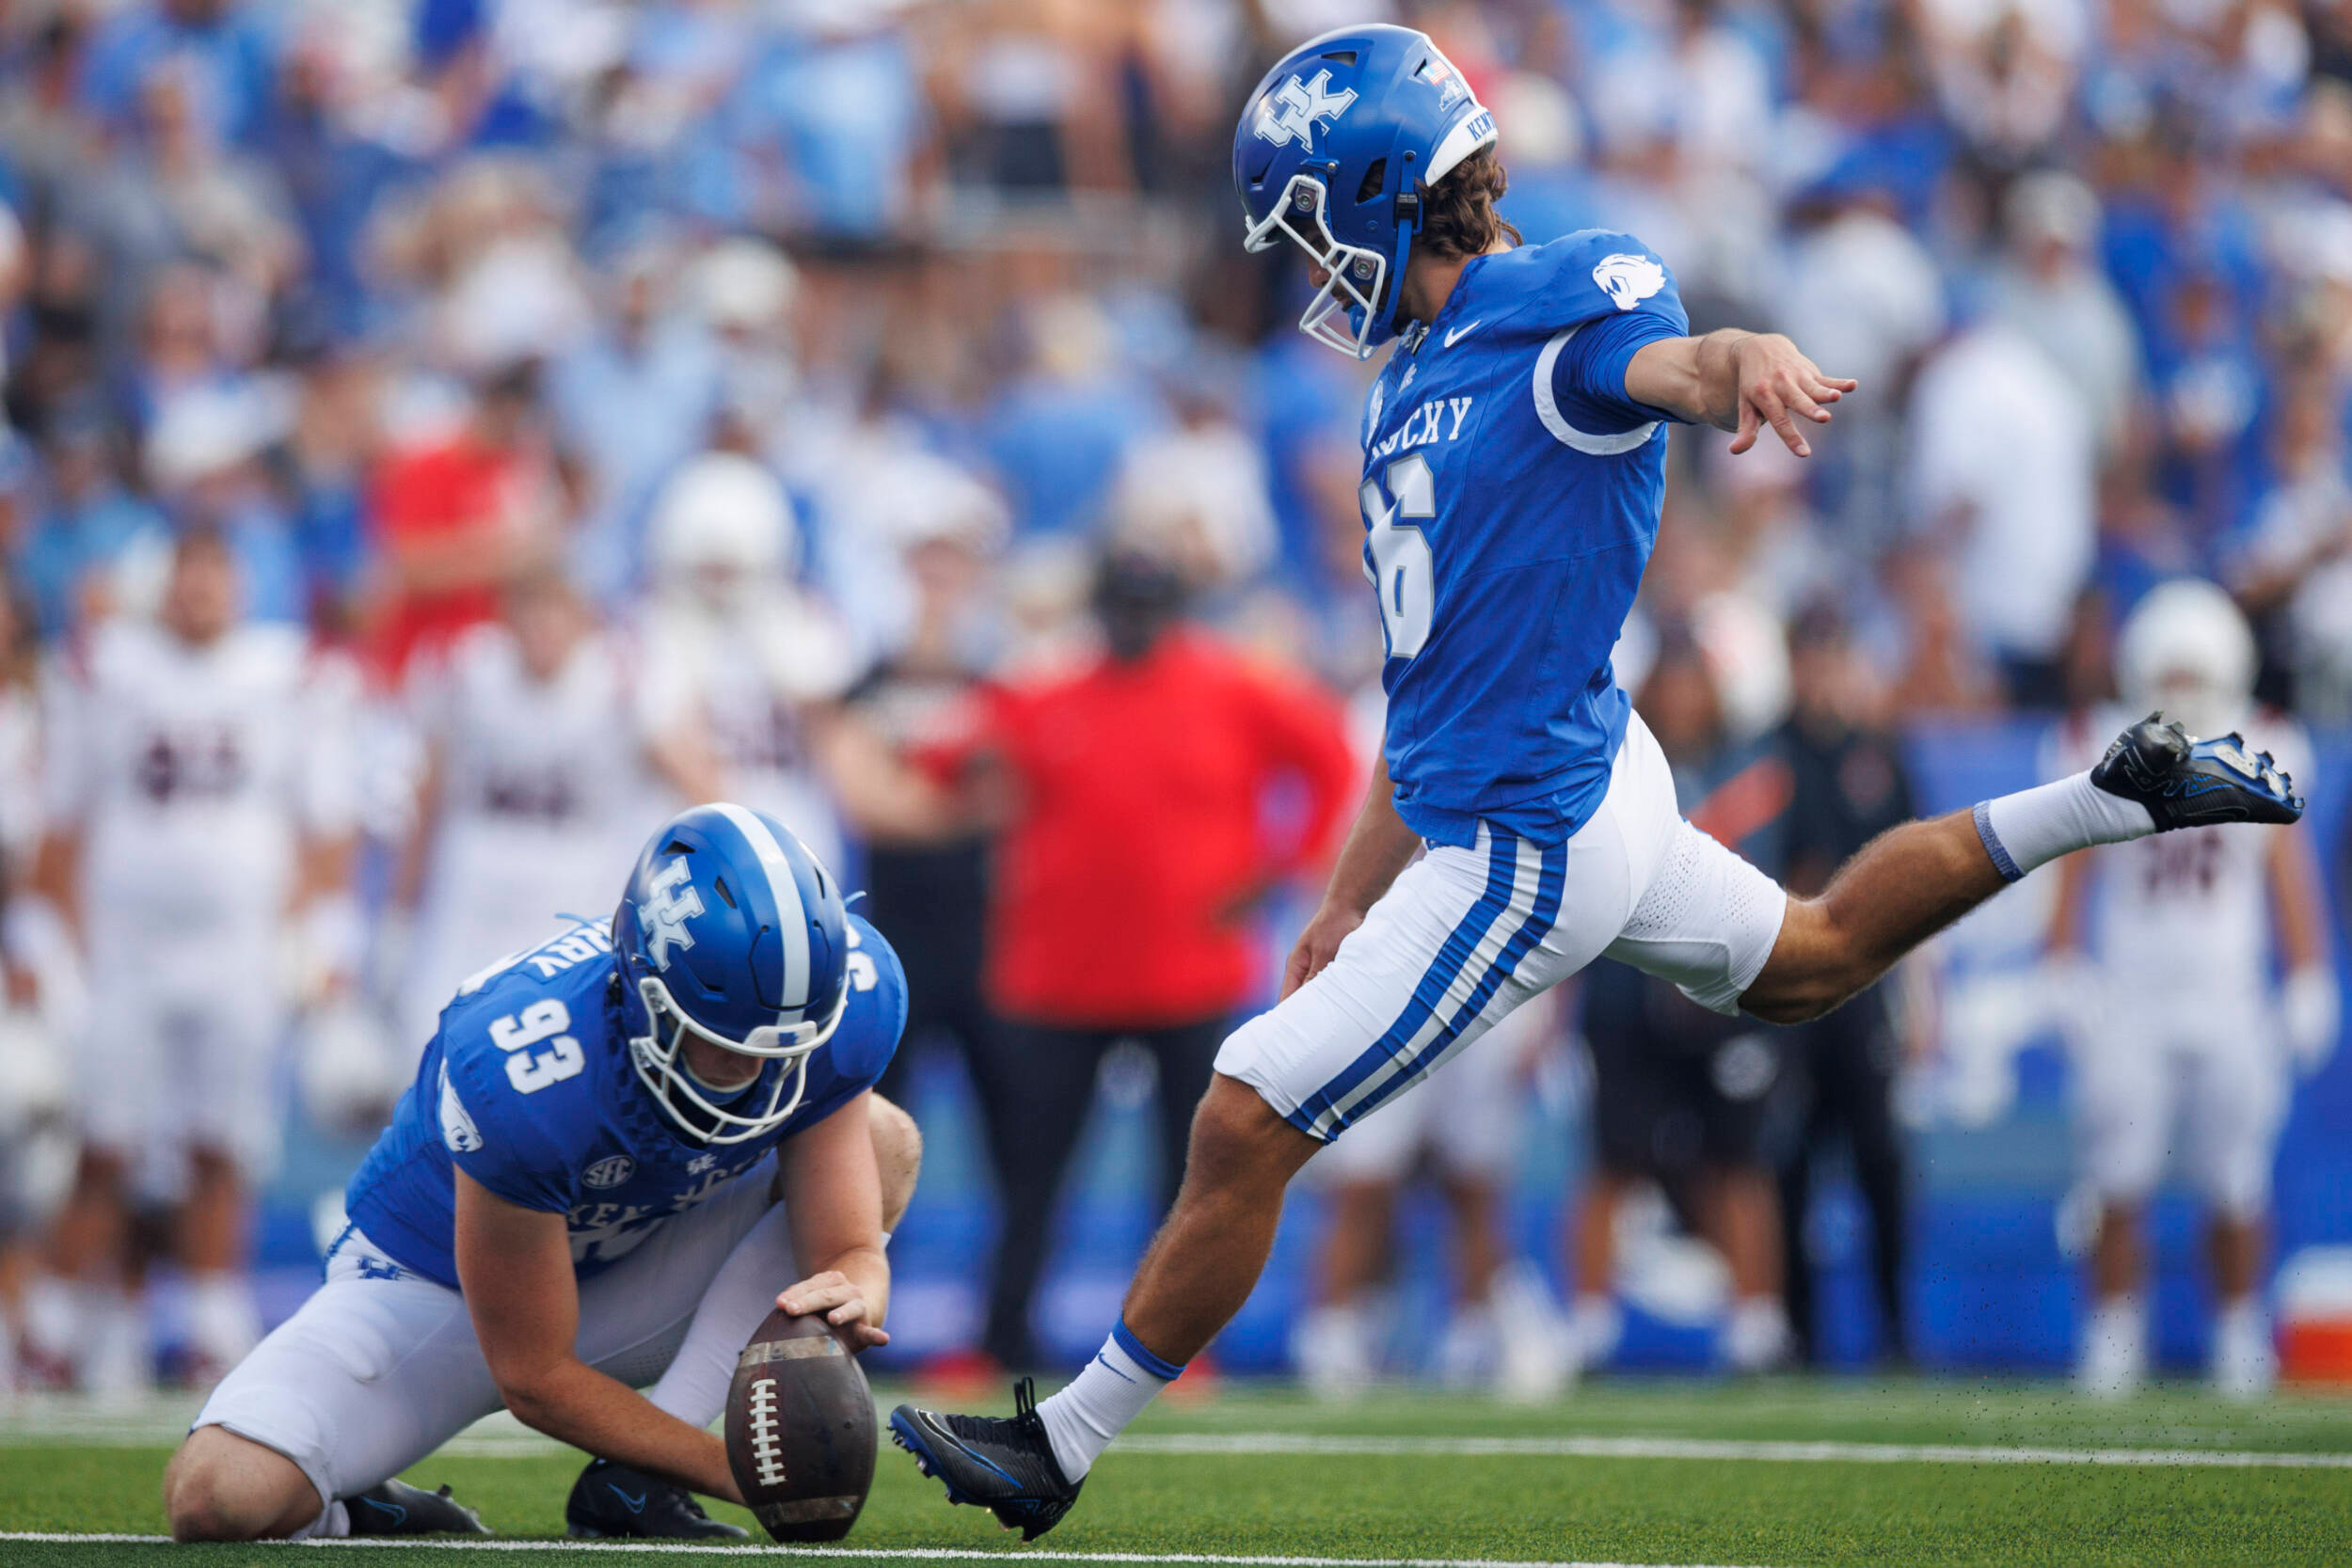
x: 530, y: 789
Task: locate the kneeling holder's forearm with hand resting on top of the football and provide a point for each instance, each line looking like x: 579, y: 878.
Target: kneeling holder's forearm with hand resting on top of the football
x: 834, y: 1207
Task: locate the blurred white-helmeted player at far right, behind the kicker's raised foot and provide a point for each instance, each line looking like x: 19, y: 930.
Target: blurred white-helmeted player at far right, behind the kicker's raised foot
x: 2181, y: 1033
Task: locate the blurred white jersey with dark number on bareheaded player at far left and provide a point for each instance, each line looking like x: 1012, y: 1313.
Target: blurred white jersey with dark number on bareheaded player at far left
x: 192, y: 775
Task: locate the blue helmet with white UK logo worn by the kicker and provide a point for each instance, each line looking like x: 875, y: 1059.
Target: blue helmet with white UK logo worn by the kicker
x: 1335, y: 149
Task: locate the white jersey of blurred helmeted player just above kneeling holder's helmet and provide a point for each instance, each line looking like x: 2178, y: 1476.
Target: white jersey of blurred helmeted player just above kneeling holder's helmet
x: 747, y: 683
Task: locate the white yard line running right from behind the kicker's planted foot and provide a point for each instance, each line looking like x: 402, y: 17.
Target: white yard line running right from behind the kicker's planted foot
x: 1720, y: 1449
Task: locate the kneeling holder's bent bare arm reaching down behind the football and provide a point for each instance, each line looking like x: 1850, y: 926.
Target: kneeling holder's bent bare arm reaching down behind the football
x: 516, y: 1271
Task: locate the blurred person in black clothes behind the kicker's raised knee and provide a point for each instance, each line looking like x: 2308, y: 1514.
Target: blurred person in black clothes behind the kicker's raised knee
x: 1845, y: 784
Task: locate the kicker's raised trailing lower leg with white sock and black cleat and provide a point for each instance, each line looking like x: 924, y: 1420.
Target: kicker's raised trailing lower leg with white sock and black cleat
x: 1920, y: 878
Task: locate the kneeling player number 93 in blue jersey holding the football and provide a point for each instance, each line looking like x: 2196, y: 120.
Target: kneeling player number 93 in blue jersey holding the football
x: 615, y: 1153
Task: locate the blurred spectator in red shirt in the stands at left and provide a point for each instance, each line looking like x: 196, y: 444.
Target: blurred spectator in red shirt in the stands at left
x: 457, y: 518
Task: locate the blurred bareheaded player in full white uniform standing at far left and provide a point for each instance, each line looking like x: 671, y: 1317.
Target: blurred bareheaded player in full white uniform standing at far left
x: 199, y: 805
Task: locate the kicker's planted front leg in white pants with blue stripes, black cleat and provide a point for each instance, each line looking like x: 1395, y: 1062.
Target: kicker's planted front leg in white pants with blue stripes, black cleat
x: 1462, y: 939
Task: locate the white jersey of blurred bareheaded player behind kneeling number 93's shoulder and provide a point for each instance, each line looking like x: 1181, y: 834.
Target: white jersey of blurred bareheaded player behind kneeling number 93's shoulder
x: 540, y: 808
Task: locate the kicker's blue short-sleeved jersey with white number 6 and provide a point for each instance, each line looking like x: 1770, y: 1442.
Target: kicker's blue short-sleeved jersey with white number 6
x: 1511, y: 502
